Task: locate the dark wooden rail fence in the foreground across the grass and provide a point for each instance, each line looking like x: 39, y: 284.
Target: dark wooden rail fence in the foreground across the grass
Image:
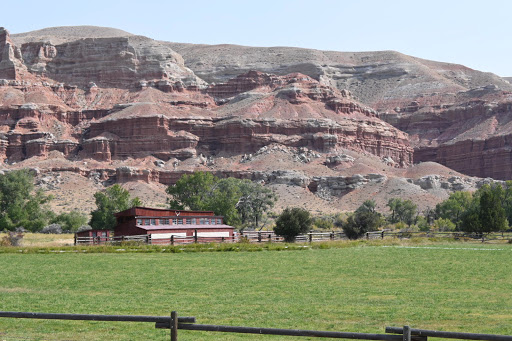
x: 175, y: 322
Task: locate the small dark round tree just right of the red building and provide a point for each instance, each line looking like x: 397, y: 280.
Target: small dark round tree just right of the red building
x: 292, y: 222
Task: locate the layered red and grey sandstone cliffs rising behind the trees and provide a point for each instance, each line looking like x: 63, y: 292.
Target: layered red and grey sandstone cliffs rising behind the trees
x: 326, y: 130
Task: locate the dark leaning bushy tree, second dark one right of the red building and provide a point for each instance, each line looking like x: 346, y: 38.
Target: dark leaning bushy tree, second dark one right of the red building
x: 364, y: 219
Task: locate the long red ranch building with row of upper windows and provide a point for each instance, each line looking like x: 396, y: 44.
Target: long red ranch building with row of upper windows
x: 161, y: 225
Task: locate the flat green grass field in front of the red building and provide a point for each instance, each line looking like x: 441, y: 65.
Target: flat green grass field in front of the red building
x: 453, y: 287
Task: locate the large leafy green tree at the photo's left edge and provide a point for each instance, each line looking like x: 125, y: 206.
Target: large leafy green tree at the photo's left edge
x: 20, y: 205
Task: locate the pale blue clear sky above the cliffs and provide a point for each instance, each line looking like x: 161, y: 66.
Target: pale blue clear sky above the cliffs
x: 477, y: 34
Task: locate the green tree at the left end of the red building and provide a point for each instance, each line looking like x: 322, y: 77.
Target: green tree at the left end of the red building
x: 112, y: 200
